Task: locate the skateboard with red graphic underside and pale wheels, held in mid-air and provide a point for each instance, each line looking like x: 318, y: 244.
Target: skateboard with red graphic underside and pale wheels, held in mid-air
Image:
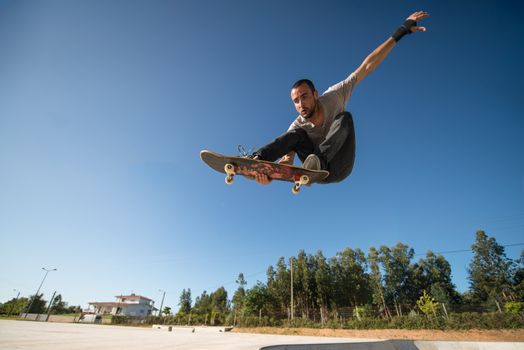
x: 231, y: 166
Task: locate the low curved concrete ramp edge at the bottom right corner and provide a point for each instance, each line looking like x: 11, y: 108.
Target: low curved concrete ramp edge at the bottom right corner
x: 403, y: 345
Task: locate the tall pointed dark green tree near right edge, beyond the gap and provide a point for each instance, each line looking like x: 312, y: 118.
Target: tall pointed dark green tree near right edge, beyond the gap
x: 490, y: 272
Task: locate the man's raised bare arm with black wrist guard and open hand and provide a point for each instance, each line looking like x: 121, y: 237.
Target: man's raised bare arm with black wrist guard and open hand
x: 377, y: 56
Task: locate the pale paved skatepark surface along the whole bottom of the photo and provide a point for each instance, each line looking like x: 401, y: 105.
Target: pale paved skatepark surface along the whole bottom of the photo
x: 61, y: 336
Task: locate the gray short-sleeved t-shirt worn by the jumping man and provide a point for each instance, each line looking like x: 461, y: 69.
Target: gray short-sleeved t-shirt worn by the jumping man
x: 333, y: 102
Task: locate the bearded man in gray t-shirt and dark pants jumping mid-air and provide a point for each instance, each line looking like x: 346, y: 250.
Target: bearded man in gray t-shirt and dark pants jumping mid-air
x: 323, y: 135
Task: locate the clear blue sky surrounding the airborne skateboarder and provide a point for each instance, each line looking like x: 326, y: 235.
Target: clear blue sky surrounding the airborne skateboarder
x: 105, y: 105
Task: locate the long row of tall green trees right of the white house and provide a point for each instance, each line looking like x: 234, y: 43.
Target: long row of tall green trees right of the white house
x: 383, y: 283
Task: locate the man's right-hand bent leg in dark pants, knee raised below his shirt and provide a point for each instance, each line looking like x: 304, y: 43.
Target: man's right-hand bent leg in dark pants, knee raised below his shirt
x: 338, y: 150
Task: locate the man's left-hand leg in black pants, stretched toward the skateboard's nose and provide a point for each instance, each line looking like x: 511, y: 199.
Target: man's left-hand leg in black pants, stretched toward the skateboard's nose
x: 295, y: 140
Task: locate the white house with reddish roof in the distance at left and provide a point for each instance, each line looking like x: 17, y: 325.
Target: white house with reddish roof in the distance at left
x: 126, y: 305
